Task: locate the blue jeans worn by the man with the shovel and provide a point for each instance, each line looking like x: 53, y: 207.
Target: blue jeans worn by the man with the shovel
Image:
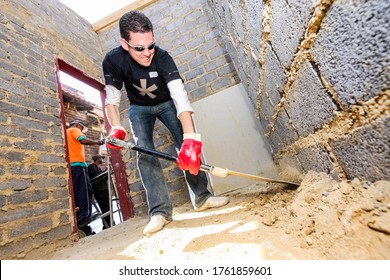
x: 142, y: 121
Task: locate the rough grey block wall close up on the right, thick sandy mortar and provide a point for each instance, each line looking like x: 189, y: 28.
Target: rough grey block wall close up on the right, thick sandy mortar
x: 323, y: 73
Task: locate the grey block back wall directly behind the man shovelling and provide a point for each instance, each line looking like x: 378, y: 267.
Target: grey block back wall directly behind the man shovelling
x: 186, y: 29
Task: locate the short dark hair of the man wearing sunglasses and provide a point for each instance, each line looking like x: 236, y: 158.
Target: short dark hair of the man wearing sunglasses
x: 136, y: 22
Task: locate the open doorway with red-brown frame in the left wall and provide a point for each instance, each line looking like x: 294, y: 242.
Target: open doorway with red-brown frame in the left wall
x: 81, y: 97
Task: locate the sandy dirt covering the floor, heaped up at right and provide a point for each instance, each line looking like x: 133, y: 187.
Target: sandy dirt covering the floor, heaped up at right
x: 321, y: 220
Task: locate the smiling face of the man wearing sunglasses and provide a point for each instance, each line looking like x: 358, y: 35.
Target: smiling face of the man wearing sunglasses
x: 137, y: 42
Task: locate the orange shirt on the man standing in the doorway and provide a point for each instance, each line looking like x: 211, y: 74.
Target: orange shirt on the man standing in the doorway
x: 75, y: 148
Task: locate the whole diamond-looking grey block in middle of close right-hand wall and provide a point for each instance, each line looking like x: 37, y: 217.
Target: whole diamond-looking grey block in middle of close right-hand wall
x: 308, y: 104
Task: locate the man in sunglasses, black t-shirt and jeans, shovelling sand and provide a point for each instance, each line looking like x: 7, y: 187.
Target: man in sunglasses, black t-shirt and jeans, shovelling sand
x: 155, y: 91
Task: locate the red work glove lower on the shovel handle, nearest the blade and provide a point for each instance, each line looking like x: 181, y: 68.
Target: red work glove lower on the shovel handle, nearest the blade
x: 189, y: 154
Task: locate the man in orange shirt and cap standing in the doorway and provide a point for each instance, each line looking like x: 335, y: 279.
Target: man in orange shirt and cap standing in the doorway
x: 82, y: 188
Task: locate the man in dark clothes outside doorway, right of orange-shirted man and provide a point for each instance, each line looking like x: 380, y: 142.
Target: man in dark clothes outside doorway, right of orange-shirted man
x: 100, y: 187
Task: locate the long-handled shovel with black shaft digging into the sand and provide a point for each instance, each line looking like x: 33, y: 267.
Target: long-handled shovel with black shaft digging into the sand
x: 213, y: 170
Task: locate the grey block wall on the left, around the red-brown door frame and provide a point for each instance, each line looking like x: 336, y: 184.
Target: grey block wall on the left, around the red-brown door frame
x: 35, y: 209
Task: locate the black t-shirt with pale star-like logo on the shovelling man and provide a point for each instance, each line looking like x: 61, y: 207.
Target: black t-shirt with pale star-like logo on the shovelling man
x: 144, y: 85
